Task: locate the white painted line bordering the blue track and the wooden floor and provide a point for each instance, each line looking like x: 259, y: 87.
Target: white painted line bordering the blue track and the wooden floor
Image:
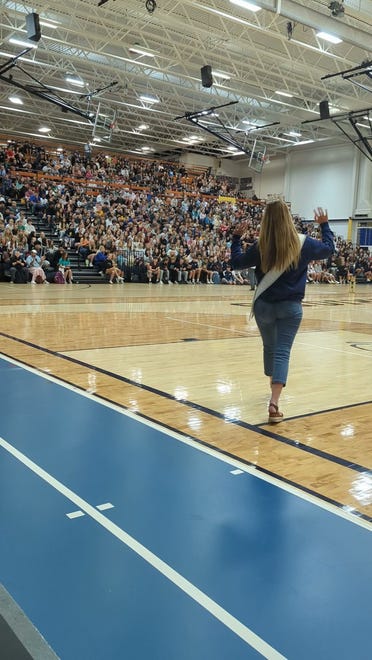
x: 234, y: 462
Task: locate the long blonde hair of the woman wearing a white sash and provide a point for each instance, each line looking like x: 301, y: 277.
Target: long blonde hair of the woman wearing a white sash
x: 278, y: 244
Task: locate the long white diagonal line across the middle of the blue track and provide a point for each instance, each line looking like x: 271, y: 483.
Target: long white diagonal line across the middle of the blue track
x: 173, y: 576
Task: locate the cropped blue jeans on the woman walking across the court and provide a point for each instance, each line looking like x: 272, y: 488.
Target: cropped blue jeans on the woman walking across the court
x: 278, y: 323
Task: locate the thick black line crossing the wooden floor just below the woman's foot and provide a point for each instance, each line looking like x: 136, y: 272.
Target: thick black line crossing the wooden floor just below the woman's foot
x: 214, y: 413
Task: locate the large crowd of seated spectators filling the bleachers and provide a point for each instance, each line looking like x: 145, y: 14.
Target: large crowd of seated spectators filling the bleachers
x: 132, y: 220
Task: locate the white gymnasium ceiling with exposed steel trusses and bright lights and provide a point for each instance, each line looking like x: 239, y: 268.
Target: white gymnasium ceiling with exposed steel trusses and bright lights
x: 251, y: 55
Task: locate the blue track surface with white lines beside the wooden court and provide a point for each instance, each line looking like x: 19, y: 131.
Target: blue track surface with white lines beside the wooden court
x: 298, y: 576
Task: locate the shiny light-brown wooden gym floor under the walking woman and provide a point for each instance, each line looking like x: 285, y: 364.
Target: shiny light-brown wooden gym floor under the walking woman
x: 189, y: 358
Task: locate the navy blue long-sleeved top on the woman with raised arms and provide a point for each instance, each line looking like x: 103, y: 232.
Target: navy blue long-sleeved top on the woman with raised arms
x: 291, y: 284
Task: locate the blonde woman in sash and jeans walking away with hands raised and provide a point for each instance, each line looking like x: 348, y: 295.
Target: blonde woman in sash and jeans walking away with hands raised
x: 281, y: 257
